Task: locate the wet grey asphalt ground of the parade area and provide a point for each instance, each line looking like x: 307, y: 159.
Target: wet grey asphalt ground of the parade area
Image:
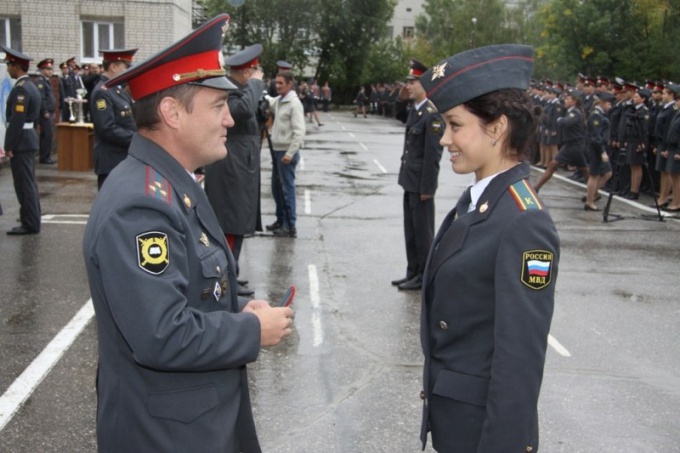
x: 348, y: 380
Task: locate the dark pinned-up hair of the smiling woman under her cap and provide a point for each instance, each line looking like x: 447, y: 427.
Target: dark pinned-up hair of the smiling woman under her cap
x: 522, y: 116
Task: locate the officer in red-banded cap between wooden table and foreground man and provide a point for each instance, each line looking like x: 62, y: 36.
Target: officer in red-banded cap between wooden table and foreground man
x: 111, y: 112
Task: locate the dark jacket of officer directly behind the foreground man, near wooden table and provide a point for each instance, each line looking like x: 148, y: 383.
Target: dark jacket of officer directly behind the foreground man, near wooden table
x: 114, y: 126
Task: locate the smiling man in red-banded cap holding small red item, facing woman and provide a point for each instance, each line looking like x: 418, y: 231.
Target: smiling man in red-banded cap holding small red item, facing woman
x: 174, y: 338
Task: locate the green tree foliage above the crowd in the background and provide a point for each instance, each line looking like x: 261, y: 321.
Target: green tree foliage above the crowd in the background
x: 346, y: 42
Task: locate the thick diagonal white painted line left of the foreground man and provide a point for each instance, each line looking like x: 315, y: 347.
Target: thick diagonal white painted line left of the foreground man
x: 26, y: 383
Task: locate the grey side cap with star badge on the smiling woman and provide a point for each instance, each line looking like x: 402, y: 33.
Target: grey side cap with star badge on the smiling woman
x: 475, y: 72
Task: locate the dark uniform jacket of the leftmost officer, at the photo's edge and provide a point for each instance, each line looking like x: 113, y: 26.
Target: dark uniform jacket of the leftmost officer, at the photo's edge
x: 23, y: 106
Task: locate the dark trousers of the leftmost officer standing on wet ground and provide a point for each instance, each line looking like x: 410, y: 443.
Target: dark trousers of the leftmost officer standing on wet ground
x: 26, y: 189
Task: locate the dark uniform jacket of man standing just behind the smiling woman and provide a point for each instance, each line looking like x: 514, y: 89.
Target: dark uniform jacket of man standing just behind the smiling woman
x: 419, y: 172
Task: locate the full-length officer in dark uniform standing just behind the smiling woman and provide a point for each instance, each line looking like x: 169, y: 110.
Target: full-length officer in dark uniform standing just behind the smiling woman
x: 418, y: 176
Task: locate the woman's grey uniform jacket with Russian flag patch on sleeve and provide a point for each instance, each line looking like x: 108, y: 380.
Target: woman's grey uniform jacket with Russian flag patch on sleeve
x: 488, y: 296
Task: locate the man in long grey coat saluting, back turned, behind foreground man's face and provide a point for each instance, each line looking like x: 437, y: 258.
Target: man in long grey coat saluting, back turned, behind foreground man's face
x: 233, y: 183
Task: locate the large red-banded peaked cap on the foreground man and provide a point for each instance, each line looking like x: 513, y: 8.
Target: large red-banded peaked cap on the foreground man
x: 196, y: 59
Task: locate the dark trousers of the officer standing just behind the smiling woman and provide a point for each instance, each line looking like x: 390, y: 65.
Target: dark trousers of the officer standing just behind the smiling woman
x: 418, y: 232
